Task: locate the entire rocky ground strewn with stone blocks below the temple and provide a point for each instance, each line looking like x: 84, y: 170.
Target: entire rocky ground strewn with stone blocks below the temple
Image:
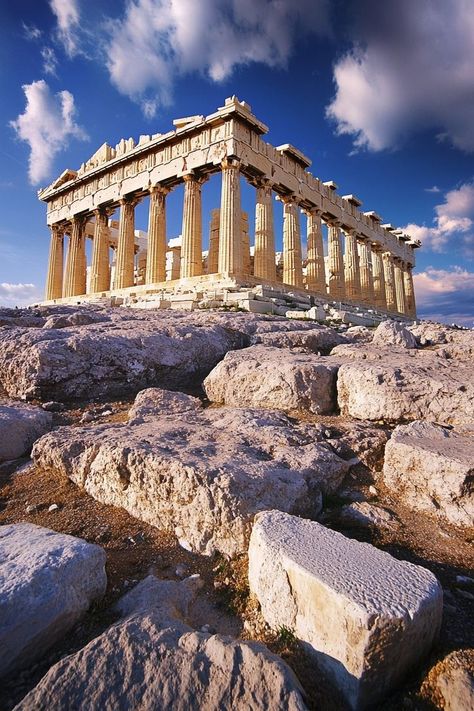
x: 369, y: 435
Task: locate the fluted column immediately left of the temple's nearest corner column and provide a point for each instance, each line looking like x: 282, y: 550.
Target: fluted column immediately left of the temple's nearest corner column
x: 191, y: 243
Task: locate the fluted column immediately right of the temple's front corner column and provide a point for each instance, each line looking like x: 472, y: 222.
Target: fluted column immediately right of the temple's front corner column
x: 264, y: 255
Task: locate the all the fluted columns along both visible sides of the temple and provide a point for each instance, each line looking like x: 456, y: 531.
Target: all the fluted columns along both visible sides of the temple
x: 358, y: 271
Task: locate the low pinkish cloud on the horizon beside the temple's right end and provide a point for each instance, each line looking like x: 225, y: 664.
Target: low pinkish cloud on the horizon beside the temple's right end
x: 446, y: 295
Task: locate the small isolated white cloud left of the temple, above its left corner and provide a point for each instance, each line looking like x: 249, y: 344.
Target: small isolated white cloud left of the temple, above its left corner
x: 47, y: 125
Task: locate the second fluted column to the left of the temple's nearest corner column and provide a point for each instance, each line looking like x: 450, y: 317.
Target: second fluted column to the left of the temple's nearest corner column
x: 156, y: 247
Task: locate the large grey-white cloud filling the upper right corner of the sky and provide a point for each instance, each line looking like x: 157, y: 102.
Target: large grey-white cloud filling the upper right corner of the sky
x: 410, y: 68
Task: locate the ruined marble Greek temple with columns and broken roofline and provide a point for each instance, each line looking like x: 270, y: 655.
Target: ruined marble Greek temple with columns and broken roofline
x: 347, y: 256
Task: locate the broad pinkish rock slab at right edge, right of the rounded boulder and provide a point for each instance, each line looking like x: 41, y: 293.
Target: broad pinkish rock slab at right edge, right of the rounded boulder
x: 396, y: 385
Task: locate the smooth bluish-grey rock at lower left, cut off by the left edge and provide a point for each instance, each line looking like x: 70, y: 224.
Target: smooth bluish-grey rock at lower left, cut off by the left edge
x: 47, y: 582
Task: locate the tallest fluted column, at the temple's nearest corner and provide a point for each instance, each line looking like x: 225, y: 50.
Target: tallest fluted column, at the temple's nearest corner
x: 230, y: 225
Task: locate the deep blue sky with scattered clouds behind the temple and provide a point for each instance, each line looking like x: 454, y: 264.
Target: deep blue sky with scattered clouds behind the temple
x: 379, y: 95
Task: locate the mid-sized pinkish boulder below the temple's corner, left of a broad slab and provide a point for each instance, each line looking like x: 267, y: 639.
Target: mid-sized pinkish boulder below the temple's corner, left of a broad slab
x: 262, y: 376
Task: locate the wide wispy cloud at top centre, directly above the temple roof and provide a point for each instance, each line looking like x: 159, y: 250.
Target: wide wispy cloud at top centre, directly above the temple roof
x: 158, y: 40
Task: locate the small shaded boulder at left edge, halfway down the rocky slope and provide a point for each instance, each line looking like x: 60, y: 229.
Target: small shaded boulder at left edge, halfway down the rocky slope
x: 20, y: 426
